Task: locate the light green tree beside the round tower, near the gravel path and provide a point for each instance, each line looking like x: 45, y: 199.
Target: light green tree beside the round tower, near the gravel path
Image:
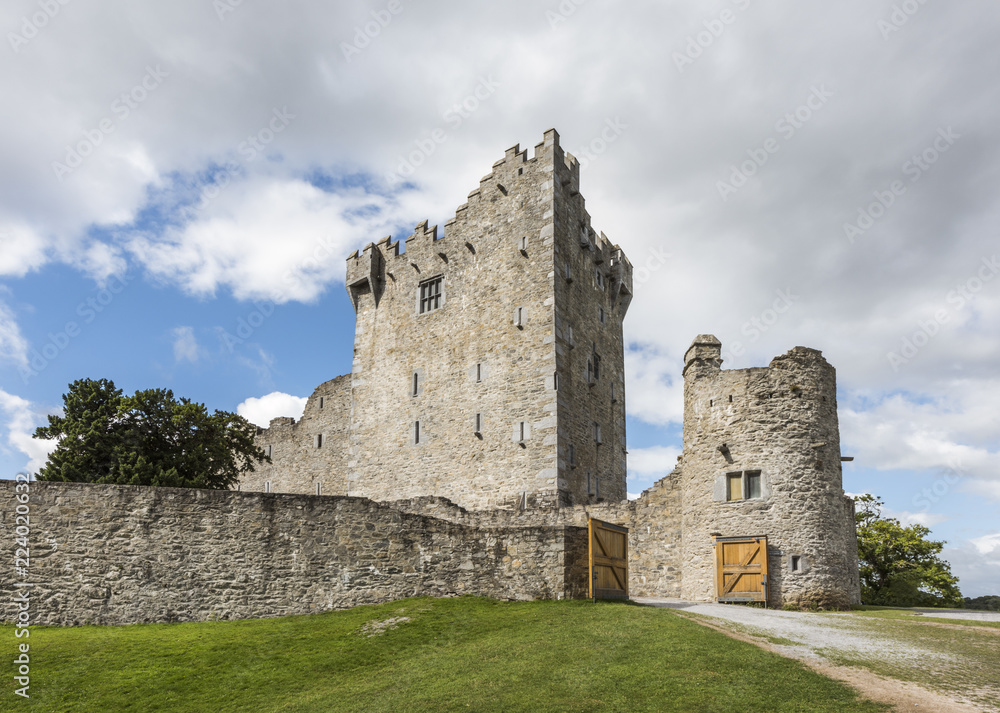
x: 899, y: 565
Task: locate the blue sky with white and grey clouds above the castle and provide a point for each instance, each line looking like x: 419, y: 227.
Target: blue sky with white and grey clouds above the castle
x: 186, y: 189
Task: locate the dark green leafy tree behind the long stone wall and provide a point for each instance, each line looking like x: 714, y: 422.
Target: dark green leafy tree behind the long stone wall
x: 149, y: 438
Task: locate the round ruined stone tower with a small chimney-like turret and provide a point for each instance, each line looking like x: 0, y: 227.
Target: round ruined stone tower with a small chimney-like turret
x: 762, y: 458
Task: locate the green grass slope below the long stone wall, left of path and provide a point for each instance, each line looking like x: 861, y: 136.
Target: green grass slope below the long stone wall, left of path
x: 467, y: 654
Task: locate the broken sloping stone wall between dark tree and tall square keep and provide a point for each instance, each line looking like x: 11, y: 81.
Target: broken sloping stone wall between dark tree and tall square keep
x: 309, y: 452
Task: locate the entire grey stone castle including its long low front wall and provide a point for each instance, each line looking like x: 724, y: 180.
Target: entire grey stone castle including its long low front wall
x: 481, y: 427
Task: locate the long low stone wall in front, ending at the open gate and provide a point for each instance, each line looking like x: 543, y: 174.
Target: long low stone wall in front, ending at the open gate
x: 126, y: 554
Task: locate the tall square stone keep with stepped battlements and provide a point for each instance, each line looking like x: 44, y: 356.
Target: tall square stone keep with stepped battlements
x: 488, y: 362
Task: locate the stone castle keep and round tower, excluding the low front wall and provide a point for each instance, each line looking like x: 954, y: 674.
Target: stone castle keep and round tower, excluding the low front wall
x: 489, y: 371
